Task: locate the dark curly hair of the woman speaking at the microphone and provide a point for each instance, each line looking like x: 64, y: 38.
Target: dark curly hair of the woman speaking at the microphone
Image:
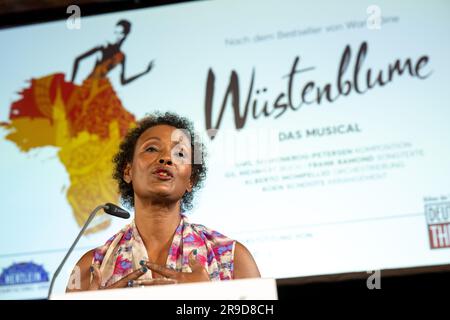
x: 126, y: 153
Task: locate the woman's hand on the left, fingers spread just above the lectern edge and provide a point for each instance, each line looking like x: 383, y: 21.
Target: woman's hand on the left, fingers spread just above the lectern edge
x: 130, y: 280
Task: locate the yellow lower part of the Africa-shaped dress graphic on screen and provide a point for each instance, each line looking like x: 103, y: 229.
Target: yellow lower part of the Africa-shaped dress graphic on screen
x: 88, y: 161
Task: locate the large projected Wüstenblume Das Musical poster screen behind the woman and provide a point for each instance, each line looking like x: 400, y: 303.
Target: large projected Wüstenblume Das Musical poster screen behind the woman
x: 327, y: 130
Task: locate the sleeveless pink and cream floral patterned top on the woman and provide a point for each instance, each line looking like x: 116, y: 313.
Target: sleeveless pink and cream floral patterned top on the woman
x: 122, y: 253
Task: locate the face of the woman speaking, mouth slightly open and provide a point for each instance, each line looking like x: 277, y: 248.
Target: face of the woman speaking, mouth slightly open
x: 161, y: 167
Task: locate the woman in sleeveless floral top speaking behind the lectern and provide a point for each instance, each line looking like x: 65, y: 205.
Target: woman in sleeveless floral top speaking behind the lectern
x: 158, y: 177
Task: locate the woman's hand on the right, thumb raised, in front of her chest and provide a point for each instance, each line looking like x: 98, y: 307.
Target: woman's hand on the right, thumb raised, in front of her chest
x: 198, y: 273
